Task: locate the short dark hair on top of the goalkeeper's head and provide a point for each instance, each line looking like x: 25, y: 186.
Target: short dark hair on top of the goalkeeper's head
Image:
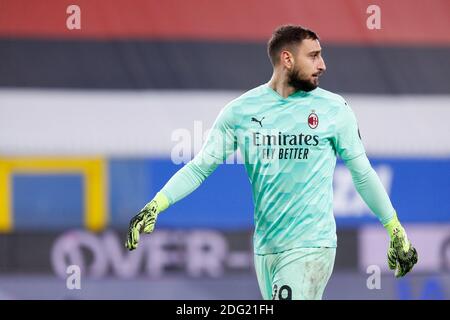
x: 287, y: 35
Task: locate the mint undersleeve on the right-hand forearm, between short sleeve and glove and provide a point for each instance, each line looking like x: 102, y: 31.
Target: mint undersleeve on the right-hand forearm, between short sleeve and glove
x: 370, y: 188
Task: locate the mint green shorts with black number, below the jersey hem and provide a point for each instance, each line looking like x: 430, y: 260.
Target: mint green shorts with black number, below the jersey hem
x: 296, y: 274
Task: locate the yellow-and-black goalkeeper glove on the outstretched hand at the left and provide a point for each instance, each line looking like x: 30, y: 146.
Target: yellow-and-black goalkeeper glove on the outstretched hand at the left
x: 145, y: 220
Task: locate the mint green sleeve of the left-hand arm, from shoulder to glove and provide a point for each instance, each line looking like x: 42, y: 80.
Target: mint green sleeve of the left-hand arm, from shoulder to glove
x: 219, y: 144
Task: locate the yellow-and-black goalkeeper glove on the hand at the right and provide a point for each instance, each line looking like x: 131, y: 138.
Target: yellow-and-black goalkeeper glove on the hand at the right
x: 402, y: 256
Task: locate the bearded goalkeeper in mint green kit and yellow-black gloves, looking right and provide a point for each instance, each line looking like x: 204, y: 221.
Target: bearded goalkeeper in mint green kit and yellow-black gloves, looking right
x: 289, y: 132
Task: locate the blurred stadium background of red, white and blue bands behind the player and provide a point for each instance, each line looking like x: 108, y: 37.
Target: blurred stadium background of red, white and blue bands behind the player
x: 94, y: 121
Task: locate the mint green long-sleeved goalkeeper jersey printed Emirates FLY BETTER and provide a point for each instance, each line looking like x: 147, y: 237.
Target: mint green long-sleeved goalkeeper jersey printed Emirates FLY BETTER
x: 289, y: 147
